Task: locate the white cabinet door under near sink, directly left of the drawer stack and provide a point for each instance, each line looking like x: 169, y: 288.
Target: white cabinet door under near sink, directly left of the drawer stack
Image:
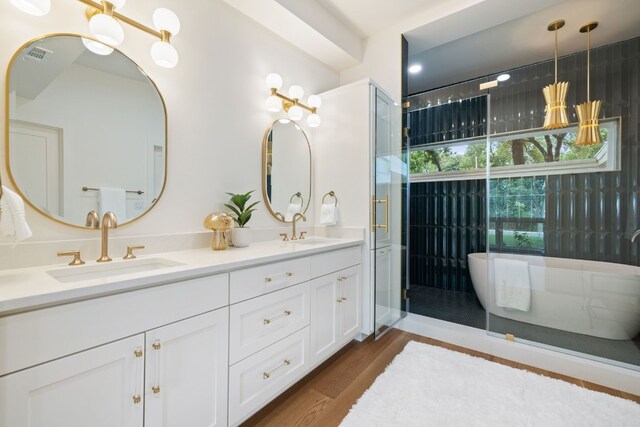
x: 186, y: 372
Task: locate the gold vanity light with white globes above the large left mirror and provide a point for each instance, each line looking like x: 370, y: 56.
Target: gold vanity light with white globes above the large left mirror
x: 104, y: 24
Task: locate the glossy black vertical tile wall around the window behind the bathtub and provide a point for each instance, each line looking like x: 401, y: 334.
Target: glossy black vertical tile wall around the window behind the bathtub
x: 588, y: 216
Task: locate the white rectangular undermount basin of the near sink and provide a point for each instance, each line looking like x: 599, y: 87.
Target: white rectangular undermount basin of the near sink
x: 117, y: 268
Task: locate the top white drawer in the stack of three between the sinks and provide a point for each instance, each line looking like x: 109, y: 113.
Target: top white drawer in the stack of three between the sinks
x: 256, y: 281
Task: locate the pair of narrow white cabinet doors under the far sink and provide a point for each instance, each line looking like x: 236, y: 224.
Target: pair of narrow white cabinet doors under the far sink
x: 335, y: 312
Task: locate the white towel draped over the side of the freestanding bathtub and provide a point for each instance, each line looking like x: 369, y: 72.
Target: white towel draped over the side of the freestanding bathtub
x: 512, y: 284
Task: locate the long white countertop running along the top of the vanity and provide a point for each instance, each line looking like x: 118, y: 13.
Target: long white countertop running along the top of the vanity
x: 31, y: 288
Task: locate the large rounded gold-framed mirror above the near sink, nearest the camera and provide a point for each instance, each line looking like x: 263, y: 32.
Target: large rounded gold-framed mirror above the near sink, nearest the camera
x: 86, y: 131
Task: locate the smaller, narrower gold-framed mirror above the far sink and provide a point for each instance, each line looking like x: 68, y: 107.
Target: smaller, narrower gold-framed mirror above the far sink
x: 286, y: 170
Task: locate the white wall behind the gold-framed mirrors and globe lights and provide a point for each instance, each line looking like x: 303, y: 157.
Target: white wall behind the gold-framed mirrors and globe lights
x: 215, y: 103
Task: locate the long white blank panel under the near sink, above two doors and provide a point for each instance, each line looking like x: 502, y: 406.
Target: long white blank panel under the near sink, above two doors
x: 42, y: 335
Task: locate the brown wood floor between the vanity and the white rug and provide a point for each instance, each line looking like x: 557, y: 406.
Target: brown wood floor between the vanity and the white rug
x: 324, y: 397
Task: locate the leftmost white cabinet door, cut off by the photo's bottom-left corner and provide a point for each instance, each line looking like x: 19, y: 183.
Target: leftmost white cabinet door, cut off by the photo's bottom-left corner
x: 98, y: 387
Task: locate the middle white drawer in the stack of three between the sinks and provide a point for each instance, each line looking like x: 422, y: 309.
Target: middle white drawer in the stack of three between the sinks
x: 260, y: 322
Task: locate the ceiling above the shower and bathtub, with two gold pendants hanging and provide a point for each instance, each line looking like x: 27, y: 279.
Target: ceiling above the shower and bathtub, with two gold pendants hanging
x: 518, y: 42
